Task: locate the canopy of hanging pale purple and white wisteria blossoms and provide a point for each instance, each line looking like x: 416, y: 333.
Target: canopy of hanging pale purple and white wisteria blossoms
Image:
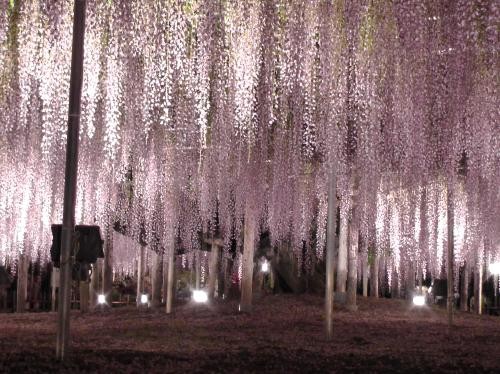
x: 198, y: 114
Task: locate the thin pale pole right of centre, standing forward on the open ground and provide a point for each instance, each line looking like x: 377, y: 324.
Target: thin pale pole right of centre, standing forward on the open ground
x: 330, y: 249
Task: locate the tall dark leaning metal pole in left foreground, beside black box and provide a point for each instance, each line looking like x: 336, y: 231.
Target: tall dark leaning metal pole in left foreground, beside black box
x: 68, y: 226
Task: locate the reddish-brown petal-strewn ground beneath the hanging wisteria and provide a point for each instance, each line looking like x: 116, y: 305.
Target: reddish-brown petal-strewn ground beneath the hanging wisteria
x: 283, y: 334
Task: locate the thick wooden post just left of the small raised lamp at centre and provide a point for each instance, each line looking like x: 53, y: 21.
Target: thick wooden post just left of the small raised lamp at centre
x: 247, y: 266
